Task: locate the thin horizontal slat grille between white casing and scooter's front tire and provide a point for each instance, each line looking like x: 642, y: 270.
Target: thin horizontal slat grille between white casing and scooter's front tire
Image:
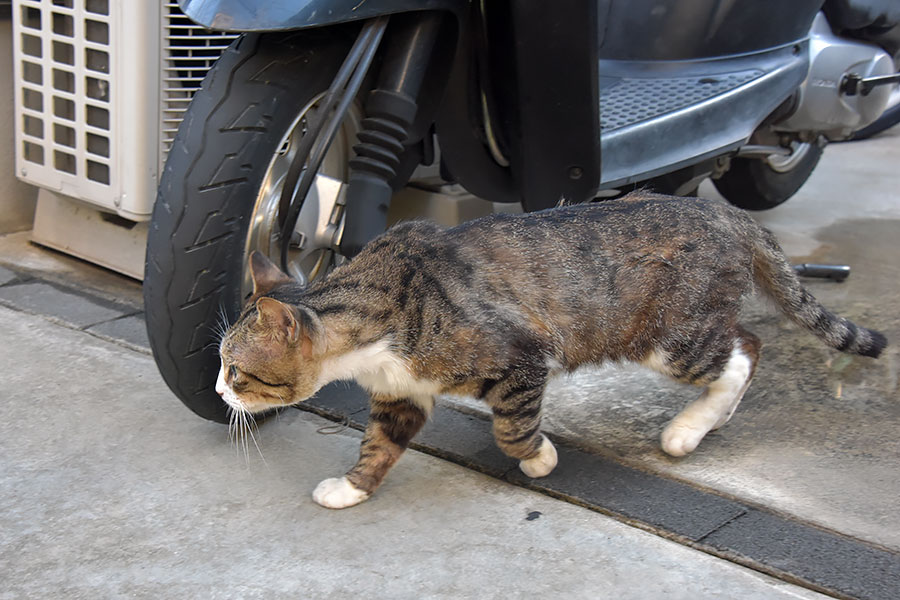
x: 188, y: 53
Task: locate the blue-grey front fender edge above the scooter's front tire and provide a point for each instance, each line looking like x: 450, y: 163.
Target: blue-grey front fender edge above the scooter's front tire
x: 280, y: 15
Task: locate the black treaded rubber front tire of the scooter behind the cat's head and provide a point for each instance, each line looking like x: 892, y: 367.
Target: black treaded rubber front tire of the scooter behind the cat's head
x: 213, y: 173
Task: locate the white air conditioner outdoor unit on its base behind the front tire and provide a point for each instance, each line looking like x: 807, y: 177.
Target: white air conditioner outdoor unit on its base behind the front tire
x: 101, y: 87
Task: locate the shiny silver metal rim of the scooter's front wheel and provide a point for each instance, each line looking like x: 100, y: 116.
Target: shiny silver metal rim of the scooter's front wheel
x: 312, y: 253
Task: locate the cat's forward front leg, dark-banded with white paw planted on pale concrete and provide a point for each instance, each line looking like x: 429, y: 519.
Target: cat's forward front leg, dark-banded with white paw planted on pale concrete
x: 392, y: 424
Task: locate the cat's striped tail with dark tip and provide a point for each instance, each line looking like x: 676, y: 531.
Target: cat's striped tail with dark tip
x: 774, y: 274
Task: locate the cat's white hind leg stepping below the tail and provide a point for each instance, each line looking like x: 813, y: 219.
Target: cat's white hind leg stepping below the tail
x: 718, y: 401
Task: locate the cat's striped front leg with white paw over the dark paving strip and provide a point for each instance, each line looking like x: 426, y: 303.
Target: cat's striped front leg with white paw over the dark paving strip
x: 515, y: 402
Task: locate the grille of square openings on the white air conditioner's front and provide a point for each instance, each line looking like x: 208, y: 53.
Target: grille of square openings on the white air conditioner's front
x: 65, y: 89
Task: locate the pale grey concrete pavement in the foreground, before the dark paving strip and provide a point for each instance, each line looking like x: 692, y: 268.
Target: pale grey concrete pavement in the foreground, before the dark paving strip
x: 110, y: 488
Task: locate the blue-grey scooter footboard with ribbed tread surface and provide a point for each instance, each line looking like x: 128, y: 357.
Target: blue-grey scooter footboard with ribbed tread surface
x: 708, y: 107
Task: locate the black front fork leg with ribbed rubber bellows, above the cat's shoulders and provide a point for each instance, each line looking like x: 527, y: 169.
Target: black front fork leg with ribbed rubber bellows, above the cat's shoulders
x: 391, y: 110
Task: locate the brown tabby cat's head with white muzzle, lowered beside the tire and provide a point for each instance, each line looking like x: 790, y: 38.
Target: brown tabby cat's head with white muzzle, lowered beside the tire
x: 272, y: 355
